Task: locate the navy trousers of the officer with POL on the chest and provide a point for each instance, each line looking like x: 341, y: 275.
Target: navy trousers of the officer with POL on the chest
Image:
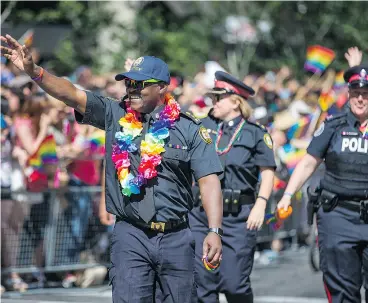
x: 343, y: 245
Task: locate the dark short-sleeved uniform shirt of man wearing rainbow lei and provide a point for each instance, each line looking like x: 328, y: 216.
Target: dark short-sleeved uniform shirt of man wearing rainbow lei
x: 189, y: 152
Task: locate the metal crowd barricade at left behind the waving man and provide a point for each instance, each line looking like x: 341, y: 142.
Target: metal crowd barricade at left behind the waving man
x: 58, y: 230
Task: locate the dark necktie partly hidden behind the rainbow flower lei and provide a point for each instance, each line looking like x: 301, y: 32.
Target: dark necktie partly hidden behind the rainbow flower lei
x: 147, y: 205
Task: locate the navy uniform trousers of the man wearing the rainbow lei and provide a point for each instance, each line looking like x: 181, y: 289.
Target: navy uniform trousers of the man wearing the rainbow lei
x: 147, y: 266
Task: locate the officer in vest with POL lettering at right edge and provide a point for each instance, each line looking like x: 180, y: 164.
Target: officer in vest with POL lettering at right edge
x: 343, y: 199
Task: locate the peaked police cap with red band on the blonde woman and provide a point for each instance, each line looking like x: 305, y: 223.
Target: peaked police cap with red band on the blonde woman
x: 228, y: 84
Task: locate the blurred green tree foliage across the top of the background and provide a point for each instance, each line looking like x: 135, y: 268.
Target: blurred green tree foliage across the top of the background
x: 187, y: 40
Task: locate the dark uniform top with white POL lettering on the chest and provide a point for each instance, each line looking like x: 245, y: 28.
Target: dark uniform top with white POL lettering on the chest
x: 339, y: 142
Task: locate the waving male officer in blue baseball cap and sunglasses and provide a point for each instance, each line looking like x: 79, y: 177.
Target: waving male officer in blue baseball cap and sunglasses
x: 152, y: 247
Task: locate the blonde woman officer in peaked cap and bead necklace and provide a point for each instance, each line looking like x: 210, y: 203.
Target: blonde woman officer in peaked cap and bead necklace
x: 245, y: 150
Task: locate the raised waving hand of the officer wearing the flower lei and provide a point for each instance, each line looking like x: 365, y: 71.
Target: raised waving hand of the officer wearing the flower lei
x: 18, y: 54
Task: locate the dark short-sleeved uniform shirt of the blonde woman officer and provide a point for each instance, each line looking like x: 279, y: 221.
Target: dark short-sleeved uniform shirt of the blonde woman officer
x: 251, y: 150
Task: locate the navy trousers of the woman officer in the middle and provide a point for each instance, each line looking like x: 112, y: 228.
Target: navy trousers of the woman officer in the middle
x: 238, y: 247
